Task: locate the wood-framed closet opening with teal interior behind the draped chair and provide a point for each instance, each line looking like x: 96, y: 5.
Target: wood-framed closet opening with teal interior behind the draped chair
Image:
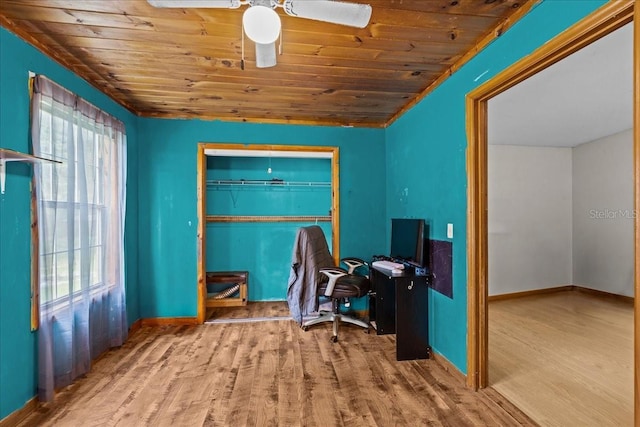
x: 251, y: 201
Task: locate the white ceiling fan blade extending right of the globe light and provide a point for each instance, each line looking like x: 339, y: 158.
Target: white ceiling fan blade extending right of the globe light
x: 336, y: 12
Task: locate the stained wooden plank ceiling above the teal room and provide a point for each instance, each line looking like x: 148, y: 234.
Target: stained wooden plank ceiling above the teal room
x: 185, y: 63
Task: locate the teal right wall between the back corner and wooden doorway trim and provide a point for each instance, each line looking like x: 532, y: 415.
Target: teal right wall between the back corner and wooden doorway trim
x: 426, y: 157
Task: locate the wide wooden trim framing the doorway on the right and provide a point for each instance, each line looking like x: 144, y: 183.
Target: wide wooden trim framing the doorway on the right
x: 606, y: 19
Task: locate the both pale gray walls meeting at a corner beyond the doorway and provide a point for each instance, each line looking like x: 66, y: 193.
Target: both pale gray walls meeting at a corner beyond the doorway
x: 561, y: 216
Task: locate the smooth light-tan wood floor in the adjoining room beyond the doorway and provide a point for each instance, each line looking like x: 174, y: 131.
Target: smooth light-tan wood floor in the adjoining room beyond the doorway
x: 565, y: 359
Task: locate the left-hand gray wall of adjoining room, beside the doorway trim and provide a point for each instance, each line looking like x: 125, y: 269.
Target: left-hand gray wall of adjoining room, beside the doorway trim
x: 529, y: 218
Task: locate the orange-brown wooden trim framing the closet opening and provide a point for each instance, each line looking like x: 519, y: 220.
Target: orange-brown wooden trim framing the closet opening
x: 201, y: 174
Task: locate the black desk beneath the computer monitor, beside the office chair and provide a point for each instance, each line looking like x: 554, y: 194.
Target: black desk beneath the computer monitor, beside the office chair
x: 399, y: 304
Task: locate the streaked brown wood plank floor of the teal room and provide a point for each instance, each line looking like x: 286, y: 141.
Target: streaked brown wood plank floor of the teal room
x: 269, y: 373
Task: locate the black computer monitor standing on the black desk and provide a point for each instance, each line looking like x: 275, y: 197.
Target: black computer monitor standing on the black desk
x: 407, y: 241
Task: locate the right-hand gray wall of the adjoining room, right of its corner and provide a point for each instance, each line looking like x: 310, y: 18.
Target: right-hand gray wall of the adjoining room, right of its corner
x: 603, y: 214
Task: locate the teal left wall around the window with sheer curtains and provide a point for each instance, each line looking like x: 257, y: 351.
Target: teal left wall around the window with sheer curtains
x: 17, y: 343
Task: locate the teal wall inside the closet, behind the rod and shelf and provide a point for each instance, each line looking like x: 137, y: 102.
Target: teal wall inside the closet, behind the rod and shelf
x: 263, y: 249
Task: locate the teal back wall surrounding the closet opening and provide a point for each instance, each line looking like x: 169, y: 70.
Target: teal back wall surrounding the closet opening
x: 168, y: 200
